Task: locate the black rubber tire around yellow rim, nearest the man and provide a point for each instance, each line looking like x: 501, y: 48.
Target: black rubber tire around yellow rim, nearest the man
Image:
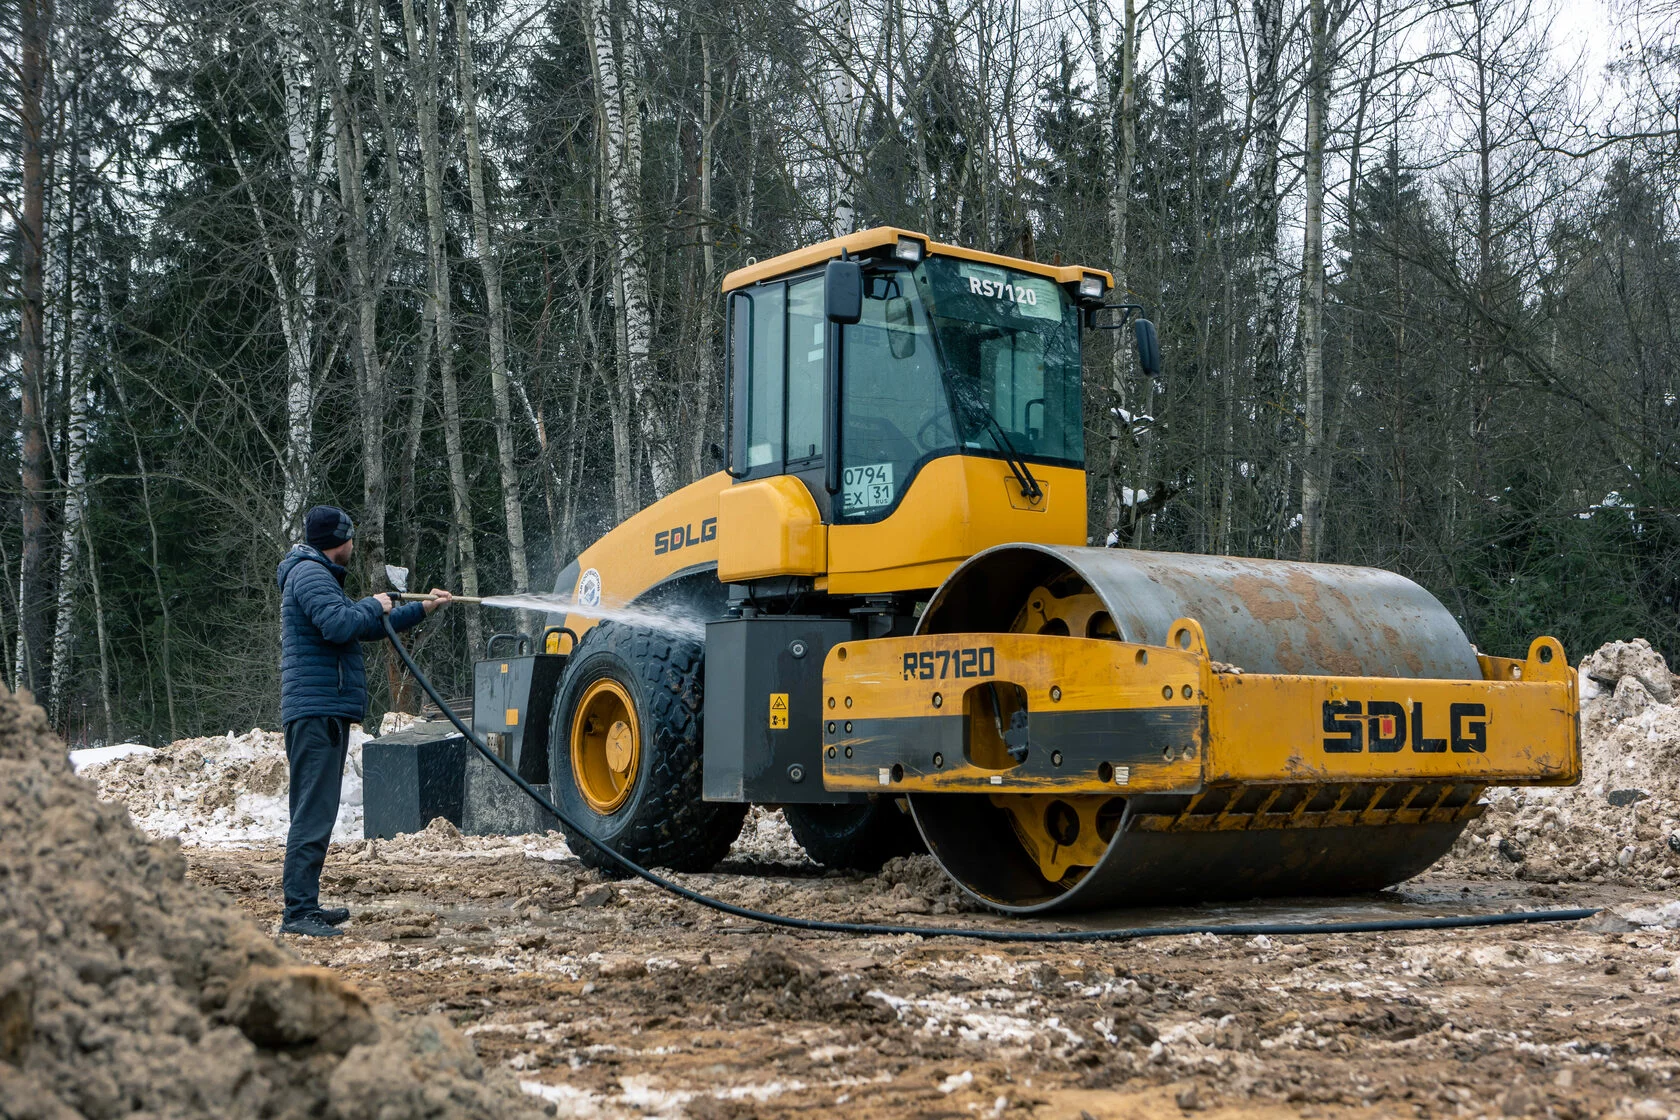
x: 664, y: 822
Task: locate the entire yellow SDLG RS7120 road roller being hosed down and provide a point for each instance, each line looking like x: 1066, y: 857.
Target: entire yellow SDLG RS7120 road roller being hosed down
x: 883, y: 617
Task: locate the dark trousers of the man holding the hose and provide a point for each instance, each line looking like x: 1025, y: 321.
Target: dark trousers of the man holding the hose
x: 315, y: 755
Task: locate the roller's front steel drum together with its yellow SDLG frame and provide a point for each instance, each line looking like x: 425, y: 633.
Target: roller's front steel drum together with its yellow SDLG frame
x: 1126, y: 758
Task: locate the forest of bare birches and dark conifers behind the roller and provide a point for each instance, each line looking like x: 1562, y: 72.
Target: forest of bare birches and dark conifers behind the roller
x: 454, y: 264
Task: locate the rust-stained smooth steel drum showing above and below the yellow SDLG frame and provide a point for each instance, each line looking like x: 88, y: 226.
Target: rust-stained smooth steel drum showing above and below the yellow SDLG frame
x: 1264, y: 617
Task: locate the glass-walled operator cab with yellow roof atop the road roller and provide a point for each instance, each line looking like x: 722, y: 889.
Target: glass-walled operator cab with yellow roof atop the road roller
x: 854, y: 375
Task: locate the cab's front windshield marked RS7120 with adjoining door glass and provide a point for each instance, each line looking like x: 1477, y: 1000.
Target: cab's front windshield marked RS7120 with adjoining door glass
x: 955, y: 357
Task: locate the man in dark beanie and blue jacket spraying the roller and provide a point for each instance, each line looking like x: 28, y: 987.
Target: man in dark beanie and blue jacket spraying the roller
x: 323, y: 691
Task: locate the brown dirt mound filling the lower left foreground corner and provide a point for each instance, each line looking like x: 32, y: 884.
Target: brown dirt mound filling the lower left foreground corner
x: 129, y: 992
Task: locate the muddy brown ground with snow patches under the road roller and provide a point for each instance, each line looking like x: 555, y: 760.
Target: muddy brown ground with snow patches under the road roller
x: 614, y: 1000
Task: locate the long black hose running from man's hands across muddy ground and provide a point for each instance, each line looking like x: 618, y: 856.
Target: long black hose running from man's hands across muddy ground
x: 1511, y: 918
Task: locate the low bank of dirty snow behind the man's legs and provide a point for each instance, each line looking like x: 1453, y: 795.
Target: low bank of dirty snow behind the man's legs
x: 218, y: 792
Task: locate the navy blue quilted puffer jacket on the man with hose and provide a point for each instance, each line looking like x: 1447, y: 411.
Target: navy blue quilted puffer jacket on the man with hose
x: 322, y: 636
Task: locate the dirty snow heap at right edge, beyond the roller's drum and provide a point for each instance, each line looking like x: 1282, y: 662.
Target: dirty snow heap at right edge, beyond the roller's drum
x: 1622, y: 824
